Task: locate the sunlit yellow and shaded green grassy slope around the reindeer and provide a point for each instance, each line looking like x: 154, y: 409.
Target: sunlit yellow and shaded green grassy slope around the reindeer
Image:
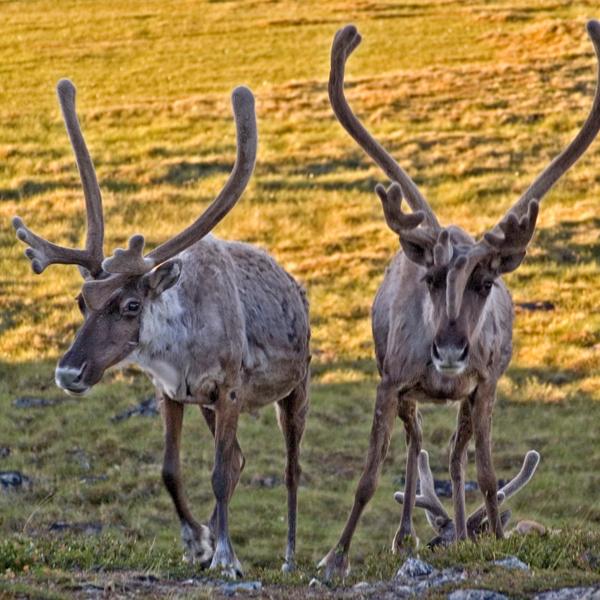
x: 473, y: 99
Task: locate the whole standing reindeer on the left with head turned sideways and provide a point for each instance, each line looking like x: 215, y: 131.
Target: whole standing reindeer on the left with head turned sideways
x: 213, y: 323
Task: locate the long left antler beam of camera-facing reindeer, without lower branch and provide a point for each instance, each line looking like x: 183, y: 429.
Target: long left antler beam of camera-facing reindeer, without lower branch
x: 344, y: 43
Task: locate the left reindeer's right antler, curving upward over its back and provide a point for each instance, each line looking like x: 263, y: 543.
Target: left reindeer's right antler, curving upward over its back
x: 132, y: 262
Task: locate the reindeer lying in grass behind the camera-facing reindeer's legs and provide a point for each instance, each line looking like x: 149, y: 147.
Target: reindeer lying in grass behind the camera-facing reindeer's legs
x: 439, y: 519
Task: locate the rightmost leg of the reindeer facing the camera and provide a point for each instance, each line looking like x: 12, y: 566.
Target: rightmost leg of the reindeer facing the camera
x: 483, y: 401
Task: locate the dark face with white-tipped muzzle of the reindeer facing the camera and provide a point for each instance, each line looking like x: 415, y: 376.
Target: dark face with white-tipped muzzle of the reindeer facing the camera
x: 454, y: 337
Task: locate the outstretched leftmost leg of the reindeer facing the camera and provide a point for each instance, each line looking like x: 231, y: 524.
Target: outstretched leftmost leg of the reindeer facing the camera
x: 336, y: 562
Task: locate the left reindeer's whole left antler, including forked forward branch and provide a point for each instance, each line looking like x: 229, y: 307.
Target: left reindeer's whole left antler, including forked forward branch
x: 42, y: 252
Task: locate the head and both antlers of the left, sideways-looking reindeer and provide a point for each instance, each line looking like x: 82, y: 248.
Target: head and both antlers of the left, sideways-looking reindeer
x: 116, y: 289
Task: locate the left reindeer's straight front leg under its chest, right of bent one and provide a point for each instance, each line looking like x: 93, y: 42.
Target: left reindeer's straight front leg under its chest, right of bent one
x: 226, y: 473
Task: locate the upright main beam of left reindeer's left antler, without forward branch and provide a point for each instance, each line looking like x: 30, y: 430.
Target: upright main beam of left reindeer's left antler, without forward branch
x: 91, y: 190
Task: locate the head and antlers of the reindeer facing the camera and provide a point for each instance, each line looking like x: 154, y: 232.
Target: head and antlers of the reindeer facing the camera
x: 459, y: 273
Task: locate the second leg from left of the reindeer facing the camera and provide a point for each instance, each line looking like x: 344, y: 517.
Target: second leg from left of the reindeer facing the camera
x: 407, y: 411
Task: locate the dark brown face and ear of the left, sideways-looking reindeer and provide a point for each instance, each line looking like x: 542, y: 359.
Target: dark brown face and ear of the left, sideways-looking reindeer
x: 110, y: 334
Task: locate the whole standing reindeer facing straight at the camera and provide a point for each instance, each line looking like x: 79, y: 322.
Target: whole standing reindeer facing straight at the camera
x: 442, y: 318
